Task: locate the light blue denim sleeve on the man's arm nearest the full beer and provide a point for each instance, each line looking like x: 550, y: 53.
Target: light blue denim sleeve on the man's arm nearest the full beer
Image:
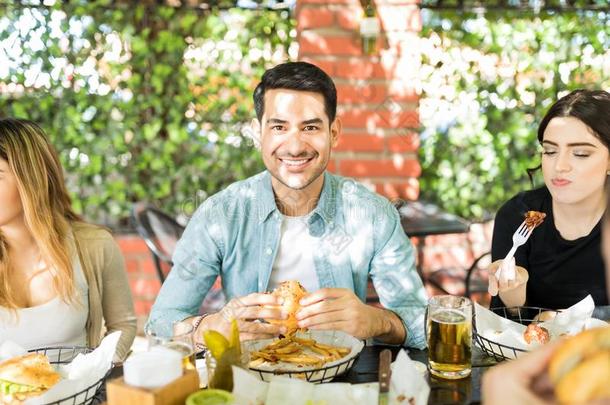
x: 394, y: 275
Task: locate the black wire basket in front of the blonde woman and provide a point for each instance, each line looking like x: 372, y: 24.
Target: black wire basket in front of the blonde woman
x: 64, y: 355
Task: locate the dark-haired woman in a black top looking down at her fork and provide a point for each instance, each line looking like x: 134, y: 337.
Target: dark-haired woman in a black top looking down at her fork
x: 562, y: 257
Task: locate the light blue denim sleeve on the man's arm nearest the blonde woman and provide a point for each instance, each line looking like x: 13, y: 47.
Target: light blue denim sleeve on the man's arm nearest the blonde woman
x: 197, y: 263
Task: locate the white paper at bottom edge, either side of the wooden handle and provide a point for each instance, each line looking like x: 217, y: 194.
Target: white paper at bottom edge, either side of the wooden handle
x: 407, y: 382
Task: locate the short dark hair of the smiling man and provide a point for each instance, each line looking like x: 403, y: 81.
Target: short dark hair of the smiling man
x: 301, y: 76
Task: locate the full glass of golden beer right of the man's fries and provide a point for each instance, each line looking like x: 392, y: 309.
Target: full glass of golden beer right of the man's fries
x: 449, y: 334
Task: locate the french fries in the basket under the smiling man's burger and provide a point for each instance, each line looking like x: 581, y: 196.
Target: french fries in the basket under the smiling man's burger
x: 299, y: 351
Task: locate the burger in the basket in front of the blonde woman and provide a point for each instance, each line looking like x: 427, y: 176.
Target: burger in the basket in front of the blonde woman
x: 25, y: 376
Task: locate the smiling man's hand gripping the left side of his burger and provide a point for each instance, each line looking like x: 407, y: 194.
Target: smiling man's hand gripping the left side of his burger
x: 248, y: 311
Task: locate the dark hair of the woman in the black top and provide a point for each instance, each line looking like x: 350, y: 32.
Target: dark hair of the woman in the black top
x: 591, y: 107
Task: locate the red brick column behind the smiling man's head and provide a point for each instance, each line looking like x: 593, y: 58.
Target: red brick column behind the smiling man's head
x: 377, y: 98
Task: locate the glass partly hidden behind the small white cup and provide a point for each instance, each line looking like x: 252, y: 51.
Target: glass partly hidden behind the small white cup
x: 178, y: 337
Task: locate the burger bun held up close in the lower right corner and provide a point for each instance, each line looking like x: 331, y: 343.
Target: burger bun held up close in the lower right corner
x: 580, y: 367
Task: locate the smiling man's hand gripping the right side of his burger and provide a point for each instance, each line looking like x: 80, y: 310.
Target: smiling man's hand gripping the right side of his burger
x: 340, y: 309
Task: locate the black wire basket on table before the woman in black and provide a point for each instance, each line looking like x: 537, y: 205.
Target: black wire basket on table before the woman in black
x: 499, y: 351
